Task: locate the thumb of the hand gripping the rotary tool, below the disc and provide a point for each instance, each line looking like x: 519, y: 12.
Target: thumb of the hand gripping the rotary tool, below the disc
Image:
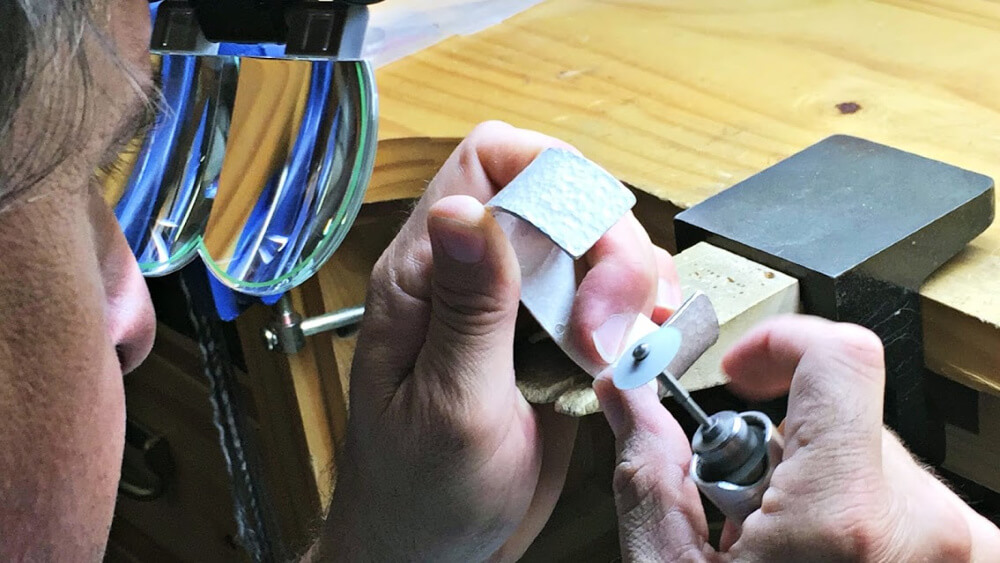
x: 660, y: 516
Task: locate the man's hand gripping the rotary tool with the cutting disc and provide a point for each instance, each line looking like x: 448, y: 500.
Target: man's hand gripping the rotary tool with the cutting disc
x: 845, y: 490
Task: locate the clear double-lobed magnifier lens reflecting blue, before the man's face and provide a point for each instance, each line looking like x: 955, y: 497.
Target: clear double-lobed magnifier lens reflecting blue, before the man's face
x: 257, y: 165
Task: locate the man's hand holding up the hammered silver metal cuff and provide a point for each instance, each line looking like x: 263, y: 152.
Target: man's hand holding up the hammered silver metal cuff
x: 444, y: 458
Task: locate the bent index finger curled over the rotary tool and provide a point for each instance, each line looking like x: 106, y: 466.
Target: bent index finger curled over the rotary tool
x: 835, y: 374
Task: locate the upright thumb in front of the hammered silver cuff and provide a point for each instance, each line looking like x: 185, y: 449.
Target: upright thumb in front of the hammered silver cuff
x: 475, y: 291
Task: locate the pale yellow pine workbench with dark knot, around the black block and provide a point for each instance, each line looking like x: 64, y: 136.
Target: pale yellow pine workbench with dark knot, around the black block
x: 682, y: 99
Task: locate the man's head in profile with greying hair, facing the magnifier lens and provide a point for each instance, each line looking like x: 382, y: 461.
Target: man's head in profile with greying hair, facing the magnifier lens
x: 74, y: 311
